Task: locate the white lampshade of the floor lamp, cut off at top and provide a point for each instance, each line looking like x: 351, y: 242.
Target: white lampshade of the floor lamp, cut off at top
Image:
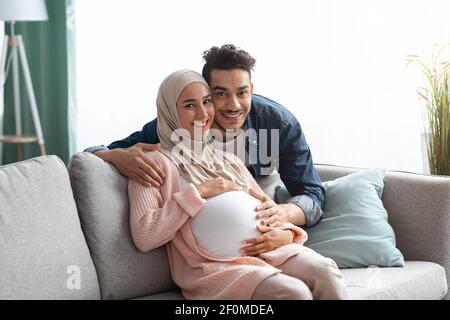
x: 23, y: 10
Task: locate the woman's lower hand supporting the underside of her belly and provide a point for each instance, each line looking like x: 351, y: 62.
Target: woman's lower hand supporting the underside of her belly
x: 271, y: 239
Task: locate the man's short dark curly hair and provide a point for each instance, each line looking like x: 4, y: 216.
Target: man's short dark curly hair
x: 227, y: 57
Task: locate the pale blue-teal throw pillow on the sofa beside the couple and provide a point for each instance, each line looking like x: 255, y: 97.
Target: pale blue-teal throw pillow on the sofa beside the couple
x: 354, y: 230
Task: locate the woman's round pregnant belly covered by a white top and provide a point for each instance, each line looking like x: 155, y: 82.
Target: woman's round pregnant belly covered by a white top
x: 224, y: 222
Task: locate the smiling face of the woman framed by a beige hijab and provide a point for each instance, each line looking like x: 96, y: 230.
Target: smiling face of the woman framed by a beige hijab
x: 195, y: 109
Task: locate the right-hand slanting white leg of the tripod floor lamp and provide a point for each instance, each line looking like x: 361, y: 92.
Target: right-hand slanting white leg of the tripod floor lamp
x: 31, y: 97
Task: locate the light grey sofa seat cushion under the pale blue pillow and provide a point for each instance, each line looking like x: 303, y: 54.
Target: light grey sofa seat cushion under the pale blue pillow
x: 417, y: 280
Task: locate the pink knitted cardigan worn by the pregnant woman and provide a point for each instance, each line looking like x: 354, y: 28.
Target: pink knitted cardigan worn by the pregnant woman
x: 159, y: 216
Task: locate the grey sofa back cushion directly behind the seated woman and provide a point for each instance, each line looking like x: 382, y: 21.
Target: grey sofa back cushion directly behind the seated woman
x: 101, y: 195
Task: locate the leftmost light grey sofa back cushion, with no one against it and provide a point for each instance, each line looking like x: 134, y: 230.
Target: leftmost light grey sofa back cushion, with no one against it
x: 43, y: 252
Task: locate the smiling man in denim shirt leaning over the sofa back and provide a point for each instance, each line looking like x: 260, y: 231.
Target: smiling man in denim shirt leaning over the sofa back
x: 228, y: 73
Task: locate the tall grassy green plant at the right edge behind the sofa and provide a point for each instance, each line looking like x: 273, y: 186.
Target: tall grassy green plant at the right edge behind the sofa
x: 437, y: 101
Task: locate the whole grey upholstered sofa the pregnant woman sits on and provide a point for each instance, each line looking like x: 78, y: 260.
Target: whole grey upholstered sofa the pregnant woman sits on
x: 64, y: 234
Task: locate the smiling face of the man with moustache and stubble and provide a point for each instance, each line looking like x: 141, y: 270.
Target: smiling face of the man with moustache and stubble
x: 232, y: 96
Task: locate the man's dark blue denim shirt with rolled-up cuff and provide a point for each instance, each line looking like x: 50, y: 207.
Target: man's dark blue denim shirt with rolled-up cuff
x: 294, y: 161
